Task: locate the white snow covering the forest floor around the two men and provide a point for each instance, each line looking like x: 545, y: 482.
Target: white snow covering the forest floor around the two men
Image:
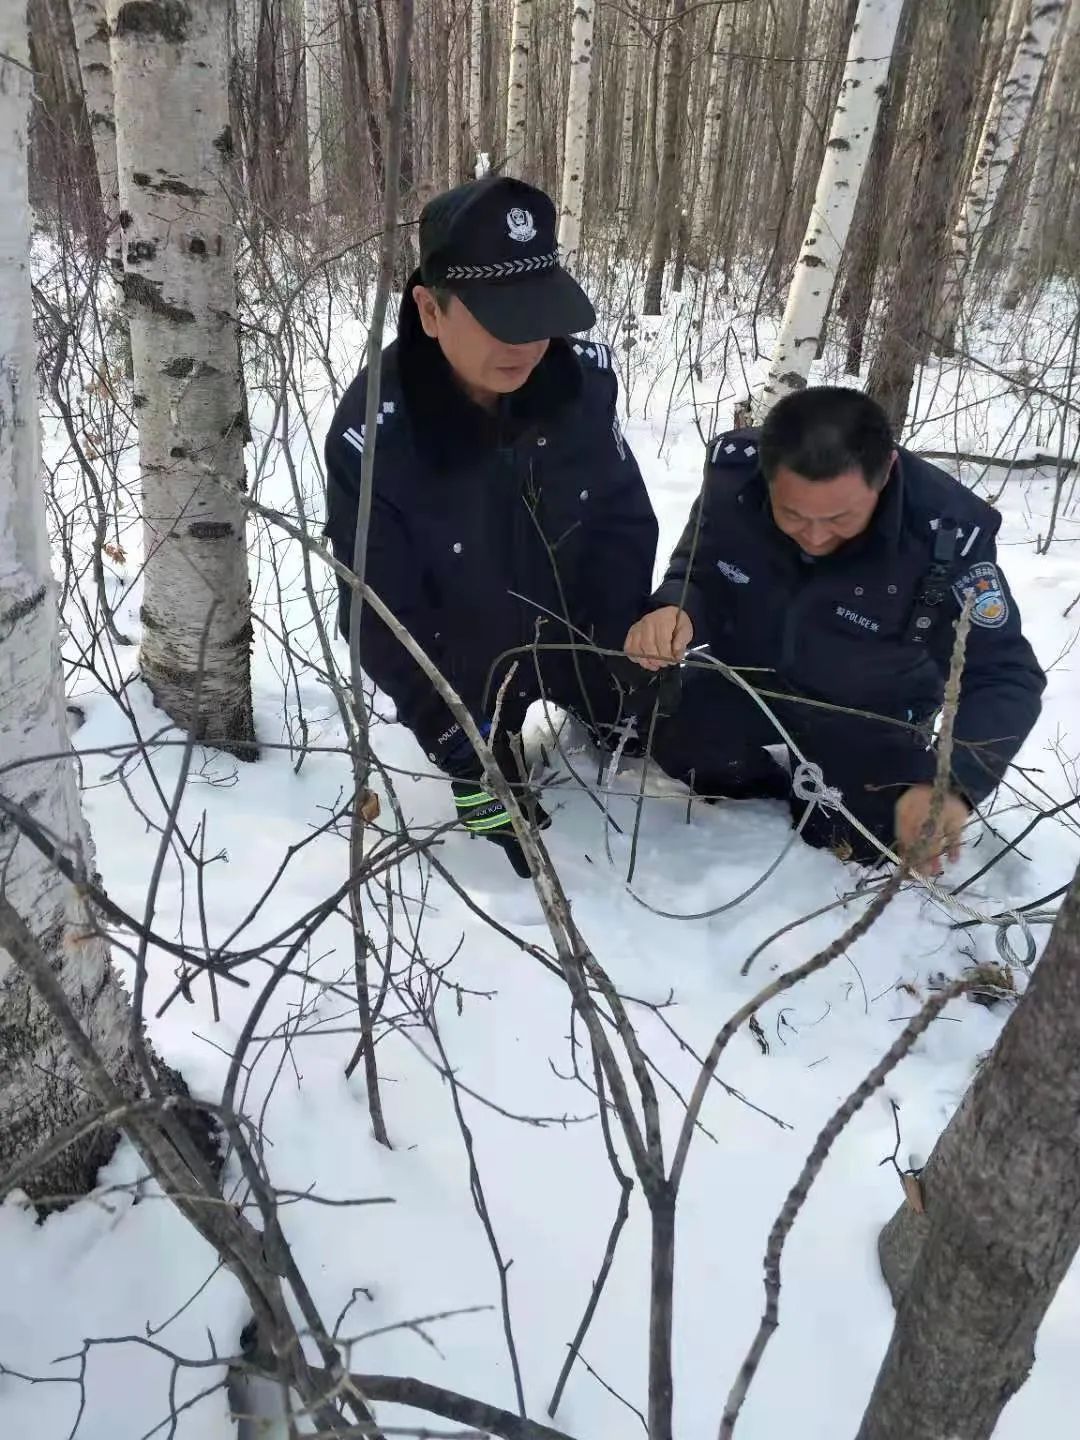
x: 126, y: 1266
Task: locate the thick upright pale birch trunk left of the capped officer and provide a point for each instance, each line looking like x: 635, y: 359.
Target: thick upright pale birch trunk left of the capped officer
x: 181, y: 290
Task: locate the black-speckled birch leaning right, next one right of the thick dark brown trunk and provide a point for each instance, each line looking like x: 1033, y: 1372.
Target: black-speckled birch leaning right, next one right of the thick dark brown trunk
x: 999, y: 143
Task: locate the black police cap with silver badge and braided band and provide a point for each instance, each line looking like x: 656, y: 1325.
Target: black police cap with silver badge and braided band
x: 493, y: 244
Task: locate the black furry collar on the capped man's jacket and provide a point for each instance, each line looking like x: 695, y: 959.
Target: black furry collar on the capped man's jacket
x: 449, y: 428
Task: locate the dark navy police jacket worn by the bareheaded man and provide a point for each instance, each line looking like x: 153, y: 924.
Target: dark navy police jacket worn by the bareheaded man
x: 842, y: 629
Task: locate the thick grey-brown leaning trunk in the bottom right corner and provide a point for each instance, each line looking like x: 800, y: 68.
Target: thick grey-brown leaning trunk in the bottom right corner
x: 977, y: 1272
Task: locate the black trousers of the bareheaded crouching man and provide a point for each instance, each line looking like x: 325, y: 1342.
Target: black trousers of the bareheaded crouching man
x: 715, y: 744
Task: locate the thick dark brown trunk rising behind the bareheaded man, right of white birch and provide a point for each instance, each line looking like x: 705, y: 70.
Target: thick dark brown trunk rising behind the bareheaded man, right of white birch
x: 909, y: 315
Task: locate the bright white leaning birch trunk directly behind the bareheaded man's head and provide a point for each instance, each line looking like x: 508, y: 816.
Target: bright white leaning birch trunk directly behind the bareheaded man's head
x: 866, y: 76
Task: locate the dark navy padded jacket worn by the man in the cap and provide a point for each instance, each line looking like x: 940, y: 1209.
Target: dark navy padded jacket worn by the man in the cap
x: 485, y: 525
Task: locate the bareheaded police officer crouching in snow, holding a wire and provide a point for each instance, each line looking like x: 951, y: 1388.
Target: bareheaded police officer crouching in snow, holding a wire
x: 834, y: 561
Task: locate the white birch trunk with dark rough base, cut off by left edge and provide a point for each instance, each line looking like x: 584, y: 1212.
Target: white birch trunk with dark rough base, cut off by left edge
x: 41, y: 1086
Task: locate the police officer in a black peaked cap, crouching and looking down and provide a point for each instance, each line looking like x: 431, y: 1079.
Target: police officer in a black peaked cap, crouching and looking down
x: 509, y: 515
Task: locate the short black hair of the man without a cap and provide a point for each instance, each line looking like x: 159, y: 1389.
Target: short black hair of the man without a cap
x: 826, y: 431
